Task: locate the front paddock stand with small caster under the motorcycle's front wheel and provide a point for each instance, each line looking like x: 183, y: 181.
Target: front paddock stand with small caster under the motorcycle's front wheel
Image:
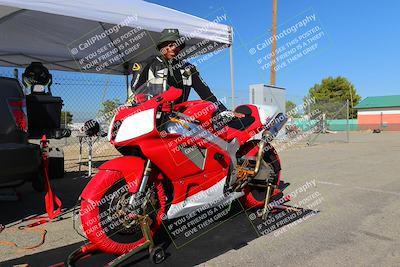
x: 157, y: 254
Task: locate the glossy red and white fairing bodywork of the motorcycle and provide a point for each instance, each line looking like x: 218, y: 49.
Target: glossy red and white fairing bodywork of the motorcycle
x: 189, y: 178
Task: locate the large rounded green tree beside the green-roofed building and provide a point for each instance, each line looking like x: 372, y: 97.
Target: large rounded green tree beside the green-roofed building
x: 331, y: 95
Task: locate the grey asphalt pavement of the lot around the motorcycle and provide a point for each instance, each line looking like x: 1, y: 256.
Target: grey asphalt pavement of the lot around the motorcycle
x: 350, y: 193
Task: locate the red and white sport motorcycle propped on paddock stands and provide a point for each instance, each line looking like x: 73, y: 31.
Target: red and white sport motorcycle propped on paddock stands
x: 177, y: 159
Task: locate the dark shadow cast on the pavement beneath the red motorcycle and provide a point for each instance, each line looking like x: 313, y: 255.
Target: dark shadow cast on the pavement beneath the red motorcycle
x: 232, y: 232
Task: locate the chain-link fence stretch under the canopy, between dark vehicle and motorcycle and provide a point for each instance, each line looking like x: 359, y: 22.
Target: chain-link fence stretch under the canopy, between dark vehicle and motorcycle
x: 83, y: 96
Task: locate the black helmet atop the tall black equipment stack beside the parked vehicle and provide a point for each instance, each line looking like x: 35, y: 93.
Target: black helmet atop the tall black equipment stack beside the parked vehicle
x: 36, y: 74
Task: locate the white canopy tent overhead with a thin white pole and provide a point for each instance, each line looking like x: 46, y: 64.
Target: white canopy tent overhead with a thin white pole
x: 98, y: 36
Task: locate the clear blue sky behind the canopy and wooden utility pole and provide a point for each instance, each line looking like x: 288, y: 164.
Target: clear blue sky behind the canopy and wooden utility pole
x: 360, y: 42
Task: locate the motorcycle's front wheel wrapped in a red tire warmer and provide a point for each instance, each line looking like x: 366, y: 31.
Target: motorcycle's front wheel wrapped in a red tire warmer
x: 105, y: 217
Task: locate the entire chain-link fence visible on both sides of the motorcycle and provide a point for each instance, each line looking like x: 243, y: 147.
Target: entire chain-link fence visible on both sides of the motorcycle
x: 85, y: 97
